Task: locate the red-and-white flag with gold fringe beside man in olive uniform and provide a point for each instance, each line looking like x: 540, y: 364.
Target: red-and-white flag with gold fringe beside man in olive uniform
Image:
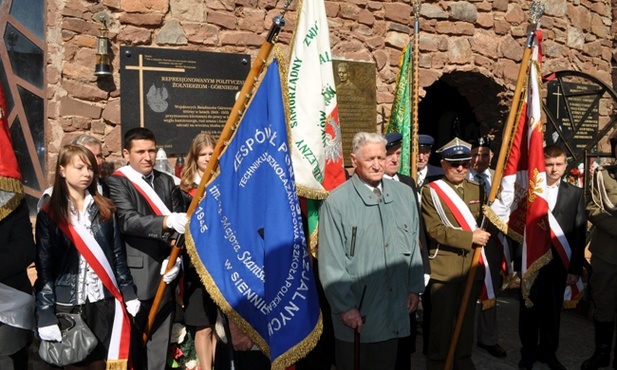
x: 522, y: 205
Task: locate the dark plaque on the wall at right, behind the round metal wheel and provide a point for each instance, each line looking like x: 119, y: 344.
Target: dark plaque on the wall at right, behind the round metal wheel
x: 581, y: 101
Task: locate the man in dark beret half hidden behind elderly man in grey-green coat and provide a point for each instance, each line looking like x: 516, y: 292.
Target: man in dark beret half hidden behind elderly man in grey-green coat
x: 407, y: 345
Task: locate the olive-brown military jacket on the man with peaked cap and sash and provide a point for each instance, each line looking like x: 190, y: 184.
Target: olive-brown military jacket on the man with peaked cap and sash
x: 450, y: 249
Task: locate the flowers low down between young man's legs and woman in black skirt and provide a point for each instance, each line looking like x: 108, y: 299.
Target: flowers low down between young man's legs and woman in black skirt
x: 182, y: 353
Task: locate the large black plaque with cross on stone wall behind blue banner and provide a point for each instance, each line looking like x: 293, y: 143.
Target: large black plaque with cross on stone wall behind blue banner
x: 179, y: 93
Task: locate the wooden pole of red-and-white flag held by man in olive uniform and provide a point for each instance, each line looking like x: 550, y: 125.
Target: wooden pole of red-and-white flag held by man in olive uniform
x: 536, y: 10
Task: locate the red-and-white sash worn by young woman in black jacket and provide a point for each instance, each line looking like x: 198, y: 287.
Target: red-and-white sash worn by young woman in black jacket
x: 118, y: 354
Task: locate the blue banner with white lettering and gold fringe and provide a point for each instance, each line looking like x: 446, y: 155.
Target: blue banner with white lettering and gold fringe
x: 246, y: 238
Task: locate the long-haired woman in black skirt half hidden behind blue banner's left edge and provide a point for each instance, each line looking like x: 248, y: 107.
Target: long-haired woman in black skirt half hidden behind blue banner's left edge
x: 199, y: 309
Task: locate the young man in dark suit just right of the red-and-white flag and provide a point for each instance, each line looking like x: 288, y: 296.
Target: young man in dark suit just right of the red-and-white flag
x: 539, y: 324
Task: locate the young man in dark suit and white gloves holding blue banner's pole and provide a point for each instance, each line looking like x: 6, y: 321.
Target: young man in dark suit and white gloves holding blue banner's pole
x: 148, y: 206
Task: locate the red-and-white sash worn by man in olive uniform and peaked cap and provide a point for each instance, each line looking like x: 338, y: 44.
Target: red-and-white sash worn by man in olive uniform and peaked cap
x: 442, y: 192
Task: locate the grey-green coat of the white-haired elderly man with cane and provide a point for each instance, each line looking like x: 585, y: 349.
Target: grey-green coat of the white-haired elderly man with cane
x: 369, y: 242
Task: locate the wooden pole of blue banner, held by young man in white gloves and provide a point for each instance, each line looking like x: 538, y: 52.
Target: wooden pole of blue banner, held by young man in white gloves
x: 234, y: 116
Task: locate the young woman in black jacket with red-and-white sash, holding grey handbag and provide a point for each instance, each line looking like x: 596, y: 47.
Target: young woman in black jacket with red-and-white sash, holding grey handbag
x: 80, y: 262
